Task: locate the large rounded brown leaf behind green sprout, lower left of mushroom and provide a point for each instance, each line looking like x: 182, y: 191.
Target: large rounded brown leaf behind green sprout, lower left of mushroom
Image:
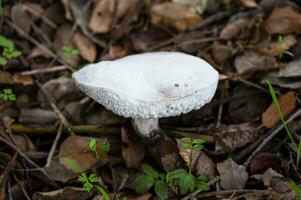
x: 77, y: 148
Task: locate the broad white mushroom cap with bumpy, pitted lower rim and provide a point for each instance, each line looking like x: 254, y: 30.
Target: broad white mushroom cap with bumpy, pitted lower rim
x: 149, y: 85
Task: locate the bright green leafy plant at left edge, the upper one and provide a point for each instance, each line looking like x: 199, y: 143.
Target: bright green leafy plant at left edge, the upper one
x: 8, y: 50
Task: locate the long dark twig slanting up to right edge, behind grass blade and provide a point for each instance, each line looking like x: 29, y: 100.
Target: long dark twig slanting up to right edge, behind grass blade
x: 273, y: 134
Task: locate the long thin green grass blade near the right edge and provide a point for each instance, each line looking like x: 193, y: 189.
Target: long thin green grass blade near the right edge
x: 289, y: 134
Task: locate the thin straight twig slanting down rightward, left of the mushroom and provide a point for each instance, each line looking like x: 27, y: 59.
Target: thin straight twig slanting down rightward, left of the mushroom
x: 55, y: 109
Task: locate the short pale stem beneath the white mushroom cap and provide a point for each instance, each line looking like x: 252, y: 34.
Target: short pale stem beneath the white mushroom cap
x: 145, y: 126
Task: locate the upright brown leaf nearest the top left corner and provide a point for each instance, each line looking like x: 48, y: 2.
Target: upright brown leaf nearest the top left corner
x: 20, y: 17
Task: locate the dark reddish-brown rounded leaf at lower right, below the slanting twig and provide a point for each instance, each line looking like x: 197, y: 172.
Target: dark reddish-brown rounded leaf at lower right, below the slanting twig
x: 263, y: 161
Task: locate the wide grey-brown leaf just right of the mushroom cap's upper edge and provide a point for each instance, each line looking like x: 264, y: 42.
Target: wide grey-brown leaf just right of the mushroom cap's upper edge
x: 253, y: 61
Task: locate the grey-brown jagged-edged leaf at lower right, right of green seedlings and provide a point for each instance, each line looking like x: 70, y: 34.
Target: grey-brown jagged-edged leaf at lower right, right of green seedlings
x: 232, y: 176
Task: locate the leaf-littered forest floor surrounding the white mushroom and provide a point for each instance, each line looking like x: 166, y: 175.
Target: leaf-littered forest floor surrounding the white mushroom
x: 57, y: 143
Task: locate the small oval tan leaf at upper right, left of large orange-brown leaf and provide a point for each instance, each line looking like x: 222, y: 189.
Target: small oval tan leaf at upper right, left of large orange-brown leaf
x: 234, y: 28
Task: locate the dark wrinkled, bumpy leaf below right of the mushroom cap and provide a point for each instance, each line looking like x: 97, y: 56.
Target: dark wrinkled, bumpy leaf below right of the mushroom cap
x: 235, y: 136
